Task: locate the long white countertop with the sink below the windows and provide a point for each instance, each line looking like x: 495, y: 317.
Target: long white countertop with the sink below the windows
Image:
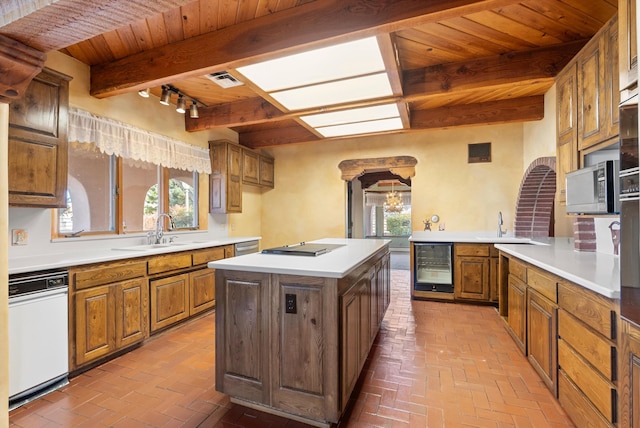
x: 66, y: 259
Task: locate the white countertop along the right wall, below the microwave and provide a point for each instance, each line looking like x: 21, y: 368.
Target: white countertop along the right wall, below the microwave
x: 598, y: 272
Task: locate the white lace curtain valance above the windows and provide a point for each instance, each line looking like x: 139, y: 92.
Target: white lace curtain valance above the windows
x: 121, y: 139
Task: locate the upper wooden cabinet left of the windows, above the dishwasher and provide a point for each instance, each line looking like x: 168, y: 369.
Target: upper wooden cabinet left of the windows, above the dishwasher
x: 38, y: 142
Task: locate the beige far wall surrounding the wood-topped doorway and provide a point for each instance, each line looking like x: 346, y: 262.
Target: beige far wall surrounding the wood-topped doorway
x: 309, y: 199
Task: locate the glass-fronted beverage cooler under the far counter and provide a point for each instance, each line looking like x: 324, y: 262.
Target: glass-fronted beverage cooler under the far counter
x: 433, y: 267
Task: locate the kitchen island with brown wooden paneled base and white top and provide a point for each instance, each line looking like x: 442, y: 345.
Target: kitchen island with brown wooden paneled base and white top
x: 293, y: 332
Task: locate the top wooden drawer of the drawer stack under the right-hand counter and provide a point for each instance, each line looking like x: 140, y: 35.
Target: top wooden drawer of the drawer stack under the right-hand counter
x: 592, y: 309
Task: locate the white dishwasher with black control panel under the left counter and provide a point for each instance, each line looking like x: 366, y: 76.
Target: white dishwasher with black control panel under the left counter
x: 38, y: 335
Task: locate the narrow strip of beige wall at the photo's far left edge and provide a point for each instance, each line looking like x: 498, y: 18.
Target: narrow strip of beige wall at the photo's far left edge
x: 4, y: 269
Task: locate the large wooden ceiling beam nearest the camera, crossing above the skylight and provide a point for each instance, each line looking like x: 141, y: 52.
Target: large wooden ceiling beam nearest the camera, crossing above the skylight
x: 314, y: 24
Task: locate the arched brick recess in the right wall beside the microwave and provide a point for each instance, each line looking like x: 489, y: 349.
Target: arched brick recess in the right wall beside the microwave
x: 536, y: 199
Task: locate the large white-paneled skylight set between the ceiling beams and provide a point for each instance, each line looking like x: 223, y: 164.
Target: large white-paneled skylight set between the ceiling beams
x: 350, y: 72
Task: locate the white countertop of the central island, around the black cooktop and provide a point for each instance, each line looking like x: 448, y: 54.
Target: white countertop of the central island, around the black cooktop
x: 334, y: 264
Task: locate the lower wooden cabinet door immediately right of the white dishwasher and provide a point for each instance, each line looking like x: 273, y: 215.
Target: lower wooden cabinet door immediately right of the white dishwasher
x: 95, y: 323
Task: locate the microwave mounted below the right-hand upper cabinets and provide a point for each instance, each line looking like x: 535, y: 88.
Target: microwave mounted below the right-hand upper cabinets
x: 594, y: 189
